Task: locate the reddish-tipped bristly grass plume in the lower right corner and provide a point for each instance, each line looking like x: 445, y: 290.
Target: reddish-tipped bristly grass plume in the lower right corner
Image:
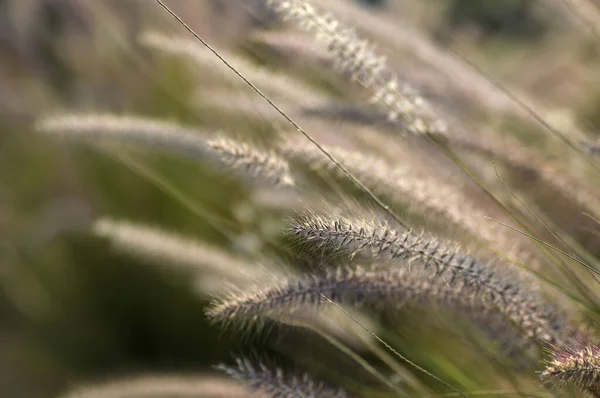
x: 575, y: 364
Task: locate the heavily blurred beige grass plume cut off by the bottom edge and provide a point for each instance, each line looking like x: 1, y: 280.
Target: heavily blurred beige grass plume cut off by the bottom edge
x: 161, y: 386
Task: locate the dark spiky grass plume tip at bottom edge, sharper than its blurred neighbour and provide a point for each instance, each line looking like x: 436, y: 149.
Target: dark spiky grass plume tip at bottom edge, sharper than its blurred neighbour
x: 279, y: 384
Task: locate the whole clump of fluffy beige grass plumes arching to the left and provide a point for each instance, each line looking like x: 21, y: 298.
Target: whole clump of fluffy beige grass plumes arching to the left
x: 398, y: 266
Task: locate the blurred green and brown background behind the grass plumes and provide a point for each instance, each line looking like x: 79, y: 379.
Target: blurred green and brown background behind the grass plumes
x: 72, y: 310
